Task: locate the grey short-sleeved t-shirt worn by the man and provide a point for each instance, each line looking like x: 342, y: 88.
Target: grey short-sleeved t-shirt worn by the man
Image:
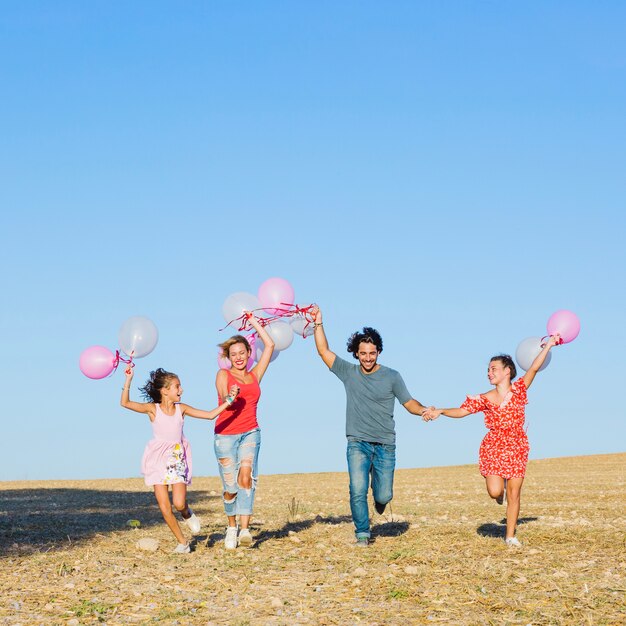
x: 370, y: 399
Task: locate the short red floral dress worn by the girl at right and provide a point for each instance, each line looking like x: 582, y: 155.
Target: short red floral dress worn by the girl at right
x: 504, y: 449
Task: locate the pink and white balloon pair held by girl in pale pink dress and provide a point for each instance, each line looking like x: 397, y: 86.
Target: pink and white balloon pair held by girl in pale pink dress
x: 137, y: 338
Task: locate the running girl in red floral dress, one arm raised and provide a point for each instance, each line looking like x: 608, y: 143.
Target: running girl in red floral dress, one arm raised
x: 504, y: 450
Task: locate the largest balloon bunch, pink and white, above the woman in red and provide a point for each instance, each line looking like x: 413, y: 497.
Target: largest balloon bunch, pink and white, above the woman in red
x: 273, y: 305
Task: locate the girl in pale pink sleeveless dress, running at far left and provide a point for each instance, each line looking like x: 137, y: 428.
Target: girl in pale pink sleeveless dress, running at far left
x: 167, y: 456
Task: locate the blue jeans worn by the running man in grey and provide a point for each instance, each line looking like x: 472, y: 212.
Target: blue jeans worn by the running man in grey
x: 365, y: 459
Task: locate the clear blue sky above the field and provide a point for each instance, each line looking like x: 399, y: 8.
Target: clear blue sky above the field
x: 450, y: 173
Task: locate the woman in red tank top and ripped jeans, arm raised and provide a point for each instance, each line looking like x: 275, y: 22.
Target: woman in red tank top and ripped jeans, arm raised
x: 237, y: 433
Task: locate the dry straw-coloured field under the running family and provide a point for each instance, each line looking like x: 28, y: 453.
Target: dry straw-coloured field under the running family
x: 67, y: 555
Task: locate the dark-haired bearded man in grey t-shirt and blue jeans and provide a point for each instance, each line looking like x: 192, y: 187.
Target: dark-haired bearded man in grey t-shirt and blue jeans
x: 371, y: 392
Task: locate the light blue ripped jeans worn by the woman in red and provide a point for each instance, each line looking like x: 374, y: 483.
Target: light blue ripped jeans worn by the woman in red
x: 232, y: 453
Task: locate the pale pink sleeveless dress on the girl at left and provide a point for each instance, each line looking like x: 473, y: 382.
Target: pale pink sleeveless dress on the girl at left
x: 167, y: 456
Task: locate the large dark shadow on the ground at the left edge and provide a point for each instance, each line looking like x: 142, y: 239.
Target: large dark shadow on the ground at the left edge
x: 53, y: 518
